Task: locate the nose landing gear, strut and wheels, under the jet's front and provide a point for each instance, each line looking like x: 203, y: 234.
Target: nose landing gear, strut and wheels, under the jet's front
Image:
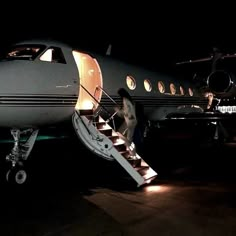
x: 19, y: 153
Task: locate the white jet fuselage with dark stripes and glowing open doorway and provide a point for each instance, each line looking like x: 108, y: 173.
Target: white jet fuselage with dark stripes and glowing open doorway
x: 36, y: 91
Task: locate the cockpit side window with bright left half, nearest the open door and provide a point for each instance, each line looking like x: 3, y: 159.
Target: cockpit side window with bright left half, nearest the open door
x: 53, y: 54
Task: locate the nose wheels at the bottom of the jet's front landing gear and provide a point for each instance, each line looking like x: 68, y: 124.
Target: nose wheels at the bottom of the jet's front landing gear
x: 16, y: 176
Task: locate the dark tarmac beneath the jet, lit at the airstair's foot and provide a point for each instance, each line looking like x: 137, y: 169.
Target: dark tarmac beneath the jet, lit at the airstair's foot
x: 72, y: 193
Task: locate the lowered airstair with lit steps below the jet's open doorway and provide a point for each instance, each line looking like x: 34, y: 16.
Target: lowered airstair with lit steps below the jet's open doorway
x: 100, y: 137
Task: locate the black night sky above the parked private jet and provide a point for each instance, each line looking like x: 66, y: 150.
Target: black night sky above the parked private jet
x: 146, y: 33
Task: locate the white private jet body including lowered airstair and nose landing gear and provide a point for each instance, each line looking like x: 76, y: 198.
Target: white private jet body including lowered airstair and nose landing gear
x: 45, y: 83
